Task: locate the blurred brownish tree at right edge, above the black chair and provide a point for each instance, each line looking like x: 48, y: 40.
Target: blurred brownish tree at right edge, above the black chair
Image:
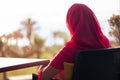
x: 114, y: 23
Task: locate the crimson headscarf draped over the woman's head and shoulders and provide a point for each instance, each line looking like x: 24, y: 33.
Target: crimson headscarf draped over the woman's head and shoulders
x: 84, y: 28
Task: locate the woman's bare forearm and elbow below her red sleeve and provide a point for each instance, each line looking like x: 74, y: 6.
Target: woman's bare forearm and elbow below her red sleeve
x: 49, y: 72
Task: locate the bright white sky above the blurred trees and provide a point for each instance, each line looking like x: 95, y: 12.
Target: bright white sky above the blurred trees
x: 50, y: 15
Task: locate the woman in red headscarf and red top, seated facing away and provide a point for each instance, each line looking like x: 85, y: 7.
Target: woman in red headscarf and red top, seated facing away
x: 85, y: 34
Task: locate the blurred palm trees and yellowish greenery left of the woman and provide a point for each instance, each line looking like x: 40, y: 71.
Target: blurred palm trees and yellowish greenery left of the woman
x: 36, y: 48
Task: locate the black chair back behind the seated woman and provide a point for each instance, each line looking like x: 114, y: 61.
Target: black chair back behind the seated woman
x: 98, y: 64
